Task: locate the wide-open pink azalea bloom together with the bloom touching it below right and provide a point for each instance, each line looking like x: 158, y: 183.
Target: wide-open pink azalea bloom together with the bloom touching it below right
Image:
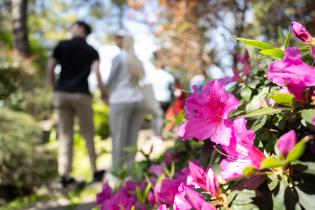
x: 208, y: 117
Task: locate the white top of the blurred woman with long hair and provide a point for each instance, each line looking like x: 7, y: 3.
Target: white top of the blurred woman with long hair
x: 119, y: 82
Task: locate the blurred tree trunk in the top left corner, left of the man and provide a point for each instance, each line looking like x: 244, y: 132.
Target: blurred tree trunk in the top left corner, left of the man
x: 20, y: 31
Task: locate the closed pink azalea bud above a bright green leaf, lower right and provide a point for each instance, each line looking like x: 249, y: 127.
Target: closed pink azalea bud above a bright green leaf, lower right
x: 286, y: 142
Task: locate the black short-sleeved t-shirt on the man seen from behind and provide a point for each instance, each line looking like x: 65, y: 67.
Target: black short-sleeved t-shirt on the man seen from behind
x: 75, y: 57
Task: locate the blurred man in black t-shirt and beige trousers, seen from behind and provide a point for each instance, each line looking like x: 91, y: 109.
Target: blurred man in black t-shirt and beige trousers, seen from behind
x: 72, y: 96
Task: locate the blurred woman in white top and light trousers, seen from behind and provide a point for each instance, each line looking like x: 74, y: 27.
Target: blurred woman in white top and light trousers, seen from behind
x: 125, y: 99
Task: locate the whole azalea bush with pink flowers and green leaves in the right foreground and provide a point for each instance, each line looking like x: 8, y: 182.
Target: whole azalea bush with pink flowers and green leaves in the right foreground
x: 256, y: 135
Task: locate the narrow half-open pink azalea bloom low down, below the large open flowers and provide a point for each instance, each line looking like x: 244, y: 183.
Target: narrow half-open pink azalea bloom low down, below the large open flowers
x: 207, y: 180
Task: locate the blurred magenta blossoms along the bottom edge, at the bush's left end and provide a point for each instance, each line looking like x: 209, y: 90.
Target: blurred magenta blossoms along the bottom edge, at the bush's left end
x: 162, y: 192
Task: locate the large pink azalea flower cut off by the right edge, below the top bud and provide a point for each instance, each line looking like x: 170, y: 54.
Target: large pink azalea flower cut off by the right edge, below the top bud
x: 293, y: 73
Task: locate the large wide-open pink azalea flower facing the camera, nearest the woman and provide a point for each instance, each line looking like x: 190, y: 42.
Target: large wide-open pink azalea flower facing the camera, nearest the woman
x: 207, y: 114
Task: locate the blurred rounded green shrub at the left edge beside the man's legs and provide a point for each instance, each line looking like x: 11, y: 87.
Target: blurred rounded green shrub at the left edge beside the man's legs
x: 24, y: 163
